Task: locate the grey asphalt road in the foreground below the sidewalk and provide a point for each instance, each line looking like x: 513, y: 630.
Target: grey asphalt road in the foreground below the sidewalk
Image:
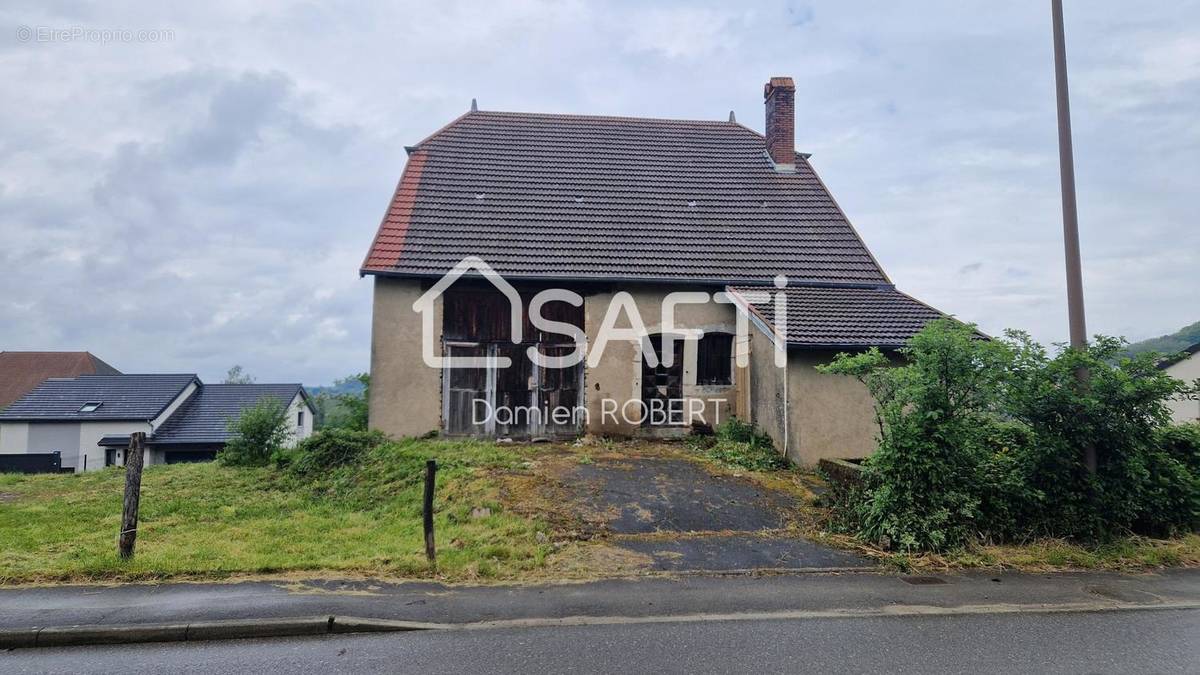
x: 1109, y: 642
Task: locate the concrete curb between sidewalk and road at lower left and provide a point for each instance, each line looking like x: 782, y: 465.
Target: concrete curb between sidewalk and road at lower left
x: 231, y: 630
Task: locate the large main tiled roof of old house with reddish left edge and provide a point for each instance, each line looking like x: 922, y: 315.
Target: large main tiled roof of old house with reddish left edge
x: 544, y: 196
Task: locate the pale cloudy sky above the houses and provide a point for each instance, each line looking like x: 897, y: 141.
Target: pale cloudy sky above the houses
x: 202, y: 195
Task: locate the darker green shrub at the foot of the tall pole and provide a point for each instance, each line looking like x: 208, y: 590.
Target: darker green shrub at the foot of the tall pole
x: 1119, y: 411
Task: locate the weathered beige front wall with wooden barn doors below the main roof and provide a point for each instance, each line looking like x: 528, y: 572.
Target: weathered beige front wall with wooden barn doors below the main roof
x: 607, y: 398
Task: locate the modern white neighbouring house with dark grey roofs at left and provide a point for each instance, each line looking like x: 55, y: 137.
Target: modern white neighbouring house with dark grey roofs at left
x: 89, y: 419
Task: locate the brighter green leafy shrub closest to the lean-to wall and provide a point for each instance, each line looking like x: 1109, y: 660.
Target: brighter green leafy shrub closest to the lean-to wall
x: 921, y: 488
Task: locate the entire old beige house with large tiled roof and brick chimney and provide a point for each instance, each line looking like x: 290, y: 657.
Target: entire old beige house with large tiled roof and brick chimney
x: 604, y: 206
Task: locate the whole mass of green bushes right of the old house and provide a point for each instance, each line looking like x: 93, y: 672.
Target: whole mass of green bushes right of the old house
x: 985, y: 440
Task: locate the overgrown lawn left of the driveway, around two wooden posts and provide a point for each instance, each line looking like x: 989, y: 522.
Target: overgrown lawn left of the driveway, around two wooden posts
x: 212, y: 521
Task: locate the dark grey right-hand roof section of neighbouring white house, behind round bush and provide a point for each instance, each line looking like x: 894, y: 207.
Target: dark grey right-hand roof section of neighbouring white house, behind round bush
x: 206, y: 416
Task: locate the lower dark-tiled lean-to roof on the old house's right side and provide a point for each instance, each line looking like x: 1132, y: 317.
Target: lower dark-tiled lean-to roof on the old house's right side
x: 844, y: 318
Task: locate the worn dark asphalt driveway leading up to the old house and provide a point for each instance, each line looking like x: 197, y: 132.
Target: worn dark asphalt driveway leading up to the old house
x: 686, y: 517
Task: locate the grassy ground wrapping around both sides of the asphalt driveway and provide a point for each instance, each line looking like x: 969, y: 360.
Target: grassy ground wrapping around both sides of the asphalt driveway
x: 209, y: 521
